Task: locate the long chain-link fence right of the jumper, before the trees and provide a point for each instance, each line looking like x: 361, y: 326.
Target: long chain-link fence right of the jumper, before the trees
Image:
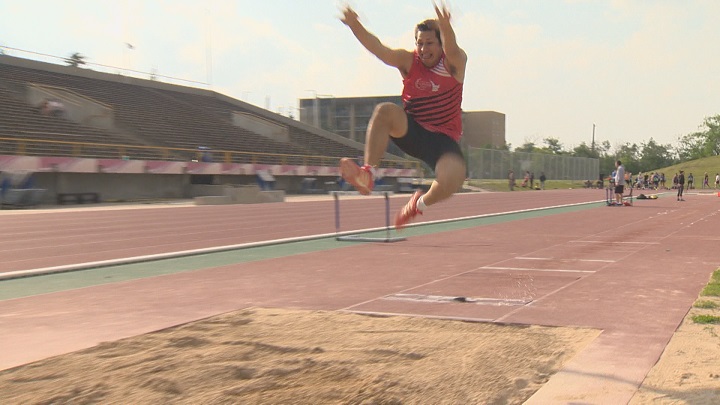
x: 495, y: 164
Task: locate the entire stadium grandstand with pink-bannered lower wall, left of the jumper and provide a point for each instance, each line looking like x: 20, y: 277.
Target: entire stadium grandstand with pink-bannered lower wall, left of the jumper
x: 78, y: 131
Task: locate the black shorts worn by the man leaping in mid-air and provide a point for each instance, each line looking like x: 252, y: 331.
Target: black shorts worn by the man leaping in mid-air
x: 425, y: 145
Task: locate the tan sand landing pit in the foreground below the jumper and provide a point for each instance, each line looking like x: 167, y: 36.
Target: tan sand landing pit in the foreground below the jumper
x: 278, y: 356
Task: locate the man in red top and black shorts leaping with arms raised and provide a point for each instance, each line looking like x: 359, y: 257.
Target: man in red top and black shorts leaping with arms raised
x: 429, y: 125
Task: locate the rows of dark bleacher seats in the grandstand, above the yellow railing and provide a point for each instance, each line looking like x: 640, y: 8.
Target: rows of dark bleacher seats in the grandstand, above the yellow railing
x: 147, y: 113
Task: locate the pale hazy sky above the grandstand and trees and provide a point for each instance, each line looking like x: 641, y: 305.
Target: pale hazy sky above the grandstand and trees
x: 626, y: 70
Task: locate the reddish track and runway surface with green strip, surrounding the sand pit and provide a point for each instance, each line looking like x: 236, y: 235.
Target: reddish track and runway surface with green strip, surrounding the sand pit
x: 557, y: 257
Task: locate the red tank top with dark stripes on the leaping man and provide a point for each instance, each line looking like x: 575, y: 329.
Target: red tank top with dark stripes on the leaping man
x: 433, y: 97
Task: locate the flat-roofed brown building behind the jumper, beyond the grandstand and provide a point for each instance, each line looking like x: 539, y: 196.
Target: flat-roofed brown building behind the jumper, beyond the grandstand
x: 349, y: 117
